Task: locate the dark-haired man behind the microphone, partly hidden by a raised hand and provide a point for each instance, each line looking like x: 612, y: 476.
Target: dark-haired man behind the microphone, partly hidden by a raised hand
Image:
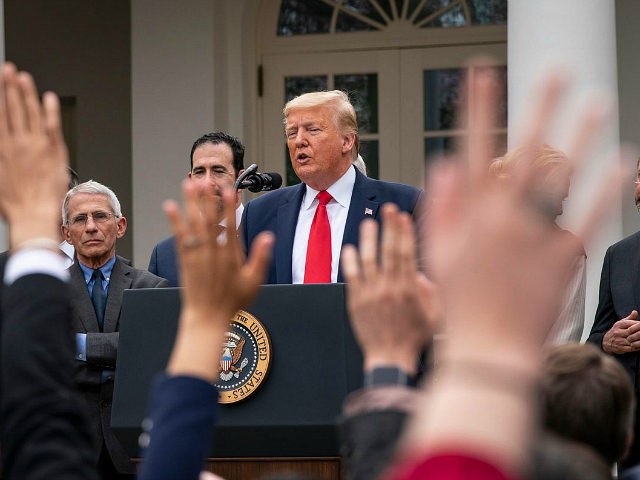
x: 216, y: 160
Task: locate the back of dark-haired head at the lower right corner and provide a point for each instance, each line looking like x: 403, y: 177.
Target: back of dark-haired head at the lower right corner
x: 587, y: 396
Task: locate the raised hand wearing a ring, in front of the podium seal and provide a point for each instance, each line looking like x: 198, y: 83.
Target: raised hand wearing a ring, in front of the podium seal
x: 216, y: 280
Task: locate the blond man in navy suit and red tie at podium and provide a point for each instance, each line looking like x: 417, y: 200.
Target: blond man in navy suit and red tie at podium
x: 313, y: 220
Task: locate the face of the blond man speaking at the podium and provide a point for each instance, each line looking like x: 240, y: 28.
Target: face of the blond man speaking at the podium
x: 319, y: 153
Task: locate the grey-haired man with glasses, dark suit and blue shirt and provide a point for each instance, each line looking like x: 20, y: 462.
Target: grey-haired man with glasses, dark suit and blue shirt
x: 92, y: 222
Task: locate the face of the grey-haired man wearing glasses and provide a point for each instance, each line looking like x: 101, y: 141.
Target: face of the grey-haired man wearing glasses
x: 95, y: 238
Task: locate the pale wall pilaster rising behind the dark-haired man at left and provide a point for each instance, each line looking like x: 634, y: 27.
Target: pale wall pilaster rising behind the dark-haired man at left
x: 172, y: 104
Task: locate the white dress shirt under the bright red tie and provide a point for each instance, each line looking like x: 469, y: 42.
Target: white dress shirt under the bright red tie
x: 337, y: 210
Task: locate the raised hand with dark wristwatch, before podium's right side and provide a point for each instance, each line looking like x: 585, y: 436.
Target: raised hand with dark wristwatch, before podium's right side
x: 393, y: 307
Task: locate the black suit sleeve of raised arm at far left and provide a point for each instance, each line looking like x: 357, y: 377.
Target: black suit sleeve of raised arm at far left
x: 44, y: 430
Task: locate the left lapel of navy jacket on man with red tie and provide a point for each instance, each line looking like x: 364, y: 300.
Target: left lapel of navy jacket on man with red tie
x: 287, y: 219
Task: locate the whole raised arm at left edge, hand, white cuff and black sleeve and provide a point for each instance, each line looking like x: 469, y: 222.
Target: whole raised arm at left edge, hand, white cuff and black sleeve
x: 44, y: 432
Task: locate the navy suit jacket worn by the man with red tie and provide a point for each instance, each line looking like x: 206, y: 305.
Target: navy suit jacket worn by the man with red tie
x: 277, y: 212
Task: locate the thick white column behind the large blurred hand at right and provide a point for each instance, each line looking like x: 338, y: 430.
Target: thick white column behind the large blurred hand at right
x: 579, y: 37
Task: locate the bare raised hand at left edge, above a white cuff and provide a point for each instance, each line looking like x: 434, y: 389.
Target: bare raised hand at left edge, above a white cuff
x: 33, y: 158
